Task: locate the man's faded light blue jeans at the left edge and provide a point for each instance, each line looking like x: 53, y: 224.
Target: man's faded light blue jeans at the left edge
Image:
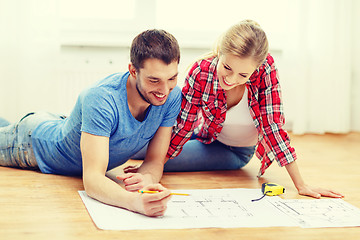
x: 15, y: 141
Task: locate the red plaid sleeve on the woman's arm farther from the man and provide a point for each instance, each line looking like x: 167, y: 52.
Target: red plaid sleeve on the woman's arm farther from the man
x: 275, y: 143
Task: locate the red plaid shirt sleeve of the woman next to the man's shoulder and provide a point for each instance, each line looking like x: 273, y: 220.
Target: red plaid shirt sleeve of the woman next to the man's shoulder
x: 189, y: 112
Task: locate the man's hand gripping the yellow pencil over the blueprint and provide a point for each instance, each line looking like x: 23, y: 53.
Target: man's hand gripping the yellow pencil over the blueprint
x: 152, y: 204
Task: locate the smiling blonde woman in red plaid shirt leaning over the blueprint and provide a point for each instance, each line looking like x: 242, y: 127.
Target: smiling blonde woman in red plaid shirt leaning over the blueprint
x: 231, y: 107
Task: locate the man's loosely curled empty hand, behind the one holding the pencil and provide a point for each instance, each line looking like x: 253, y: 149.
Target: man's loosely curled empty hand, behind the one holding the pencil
x: 135, y: 181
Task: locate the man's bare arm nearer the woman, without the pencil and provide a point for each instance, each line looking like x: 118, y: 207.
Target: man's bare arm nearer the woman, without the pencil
x: 152, y: 168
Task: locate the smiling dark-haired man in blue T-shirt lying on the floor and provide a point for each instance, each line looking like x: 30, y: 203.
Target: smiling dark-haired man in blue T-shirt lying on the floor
x: 110, y: 122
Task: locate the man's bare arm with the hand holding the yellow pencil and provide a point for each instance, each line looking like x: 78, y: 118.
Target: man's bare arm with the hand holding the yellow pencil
x: 95, y: 157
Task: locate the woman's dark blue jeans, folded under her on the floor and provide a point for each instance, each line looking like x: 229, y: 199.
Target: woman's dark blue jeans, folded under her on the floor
x: 197, y: 156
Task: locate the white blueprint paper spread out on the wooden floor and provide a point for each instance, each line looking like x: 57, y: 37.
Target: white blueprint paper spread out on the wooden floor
x: 227, y: 208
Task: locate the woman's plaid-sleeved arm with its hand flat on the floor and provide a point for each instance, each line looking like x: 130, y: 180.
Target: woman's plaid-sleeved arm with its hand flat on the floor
x: 278, y: 140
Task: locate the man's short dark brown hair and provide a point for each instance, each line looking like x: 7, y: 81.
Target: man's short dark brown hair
x: 154, y: 43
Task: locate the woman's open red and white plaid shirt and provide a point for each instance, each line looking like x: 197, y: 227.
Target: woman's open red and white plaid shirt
x: 203, y: 110
